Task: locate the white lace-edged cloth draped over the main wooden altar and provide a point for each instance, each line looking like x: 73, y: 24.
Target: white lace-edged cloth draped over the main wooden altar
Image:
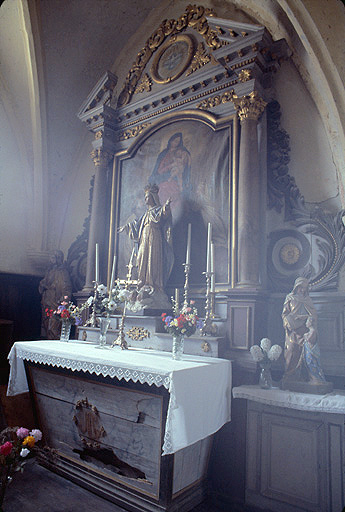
x: 199, y: 387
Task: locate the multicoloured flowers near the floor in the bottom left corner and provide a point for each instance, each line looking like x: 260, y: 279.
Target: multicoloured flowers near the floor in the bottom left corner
x: 17, y: 446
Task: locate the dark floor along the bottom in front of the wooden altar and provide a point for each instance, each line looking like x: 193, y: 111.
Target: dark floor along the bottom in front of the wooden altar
x: 40, y: 490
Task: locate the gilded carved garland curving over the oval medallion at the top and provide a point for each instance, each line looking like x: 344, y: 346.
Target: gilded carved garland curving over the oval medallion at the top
x: 195, y: 18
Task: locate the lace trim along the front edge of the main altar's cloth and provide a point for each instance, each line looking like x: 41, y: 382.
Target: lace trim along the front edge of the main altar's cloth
x: 107, y: 370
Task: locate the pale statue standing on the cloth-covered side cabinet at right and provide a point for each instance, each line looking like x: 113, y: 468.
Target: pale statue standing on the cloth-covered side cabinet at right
x: 303, y: 371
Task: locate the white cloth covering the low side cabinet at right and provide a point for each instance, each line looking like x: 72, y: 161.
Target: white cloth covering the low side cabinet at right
x: 330, y: 403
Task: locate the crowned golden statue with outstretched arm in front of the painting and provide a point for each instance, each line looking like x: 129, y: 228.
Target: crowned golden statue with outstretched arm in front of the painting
x: 152, y: 233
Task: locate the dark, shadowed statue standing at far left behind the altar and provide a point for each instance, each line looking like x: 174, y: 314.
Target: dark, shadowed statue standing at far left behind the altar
x: 54, y: 287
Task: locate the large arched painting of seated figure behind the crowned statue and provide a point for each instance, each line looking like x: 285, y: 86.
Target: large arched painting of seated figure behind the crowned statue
x: 192, y: 163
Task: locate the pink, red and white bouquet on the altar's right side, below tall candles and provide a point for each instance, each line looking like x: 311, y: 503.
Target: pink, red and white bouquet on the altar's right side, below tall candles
x: 184, y: 322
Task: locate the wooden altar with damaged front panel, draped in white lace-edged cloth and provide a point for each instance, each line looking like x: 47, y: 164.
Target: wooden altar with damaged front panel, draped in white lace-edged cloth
x: 134, y: 426
